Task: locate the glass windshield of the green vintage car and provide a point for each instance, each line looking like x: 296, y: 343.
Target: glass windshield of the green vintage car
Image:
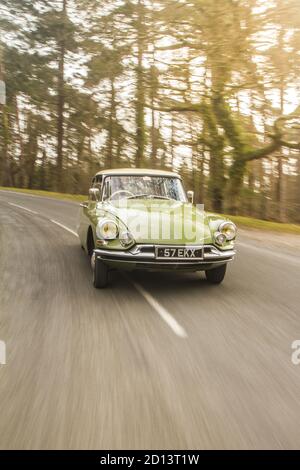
x: 143, y: 187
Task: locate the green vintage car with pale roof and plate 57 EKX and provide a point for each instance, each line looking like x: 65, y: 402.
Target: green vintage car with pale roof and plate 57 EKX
x: 144, y: 219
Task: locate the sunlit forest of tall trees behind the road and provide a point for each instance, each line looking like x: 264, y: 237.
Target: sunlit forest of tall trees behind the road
x: 208, y: 88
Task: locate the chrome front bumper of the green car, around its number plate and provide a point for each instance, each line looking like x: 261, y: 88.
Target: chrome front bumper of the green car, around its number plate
x: 143, y: 257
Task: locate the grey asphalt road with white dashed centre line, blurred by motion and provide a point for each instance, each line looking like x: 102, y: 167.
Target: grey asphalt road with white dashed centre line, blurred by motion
x: 155, y: 360
